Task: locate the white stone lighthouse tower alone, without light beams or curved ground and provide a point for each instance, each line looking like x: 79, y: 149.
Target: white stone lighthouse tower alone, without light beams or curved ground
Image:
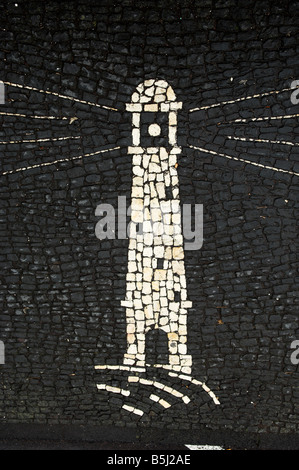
x: 156, y: 294
